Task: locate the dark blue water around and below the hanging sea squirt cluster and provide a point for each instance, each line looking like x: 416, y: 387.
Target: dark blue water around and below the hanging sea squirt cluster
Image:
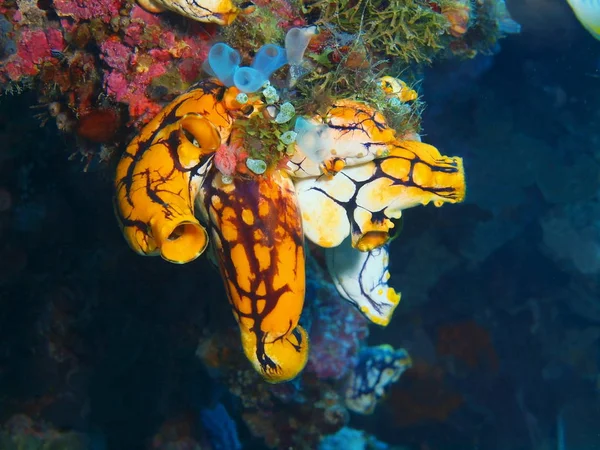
x: 103, y: 349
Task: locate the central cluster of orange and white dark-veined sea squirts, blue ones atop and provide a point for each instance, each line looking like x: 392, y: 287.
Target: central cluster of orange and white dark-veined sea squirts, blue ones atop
x: 204, y: 169
